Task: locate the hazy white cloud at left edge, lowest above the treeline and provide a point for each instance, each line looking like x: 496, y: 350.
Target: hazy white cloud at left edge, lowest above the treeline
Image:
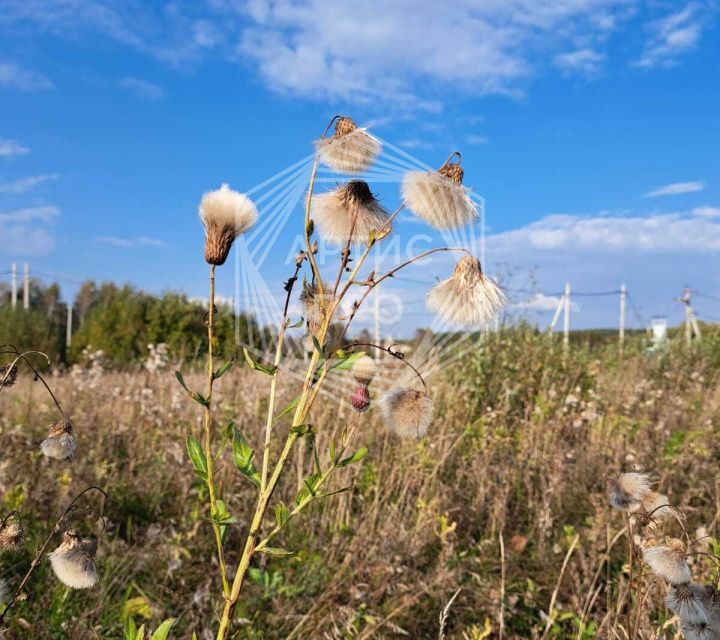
x: 28, y: 231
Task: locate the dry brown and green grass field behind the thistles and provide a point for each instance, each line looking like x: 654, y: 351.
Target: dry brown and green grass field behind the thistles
x: 521, y: 445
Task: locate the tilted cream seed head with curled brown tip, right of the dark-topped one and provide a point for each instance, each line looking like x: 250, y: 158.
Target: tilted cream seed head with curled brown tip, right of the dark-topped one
x: 438, y: 197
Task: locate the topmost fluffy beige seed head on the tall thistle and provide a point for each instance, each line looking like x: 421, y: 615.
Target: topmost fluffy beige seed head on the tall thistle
x: 350, y: 149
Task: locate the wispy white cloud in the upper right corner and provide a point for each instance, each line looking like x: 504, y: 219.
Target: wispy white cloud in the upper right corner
x: 672, y: 36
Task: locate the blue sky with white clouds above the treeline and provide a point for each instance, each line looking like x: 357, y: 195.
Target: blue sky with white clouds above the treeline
x: 589, y: 127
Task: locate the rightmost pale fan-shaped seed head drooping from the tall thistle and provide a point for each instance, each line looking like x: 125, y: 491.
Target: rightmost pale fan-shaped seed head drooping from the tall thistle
x: 468, y: 297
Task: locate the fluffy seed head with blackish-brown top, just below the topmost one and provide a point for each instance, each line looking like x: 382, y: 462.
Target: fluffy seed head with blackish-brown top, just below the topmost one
x: 349, y: 212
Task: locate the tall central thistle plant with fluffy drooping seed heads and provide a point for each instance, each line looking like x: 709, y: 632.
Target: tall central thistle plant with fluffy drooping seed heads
x: 351, y: 218
